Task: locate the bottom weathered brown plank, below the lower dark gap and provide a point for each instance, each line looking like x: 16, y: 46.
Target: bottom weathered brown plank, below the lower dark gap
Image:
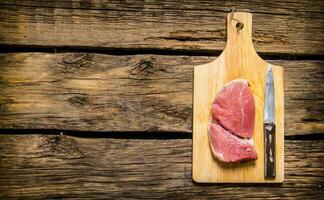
x: 47, y: 167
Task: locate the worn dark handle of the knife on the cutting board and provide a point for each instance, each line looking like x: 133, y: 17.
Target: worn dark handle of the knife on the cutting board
x: 269, y: 151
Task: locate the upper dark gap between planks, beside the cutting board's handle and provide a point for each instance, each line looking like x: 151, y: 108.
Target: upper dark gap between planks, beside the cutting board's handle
x: 144, y: 51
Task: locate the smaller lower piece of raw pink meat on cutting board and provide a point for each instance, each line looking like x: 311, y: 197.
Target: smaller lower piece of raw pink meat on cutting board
x: 227, y: 147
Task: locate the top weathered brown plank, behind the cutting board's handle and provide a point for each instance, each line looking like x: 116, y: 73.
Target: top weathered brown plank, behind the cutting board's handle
x: 288, y: 26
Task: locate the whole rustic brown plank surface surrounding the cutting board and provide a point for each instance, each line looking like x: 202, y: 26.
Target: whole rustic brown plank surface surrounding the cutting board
x: 96, y: 96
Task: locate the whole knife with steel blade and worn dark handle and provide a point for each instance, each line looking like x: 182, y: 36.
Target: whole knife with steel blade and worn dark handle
x: 269, y: 127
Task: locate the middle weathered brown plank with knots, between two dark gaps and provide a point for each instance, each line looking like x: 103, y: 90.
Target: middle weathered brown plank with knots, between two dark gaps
x: 95, y: 92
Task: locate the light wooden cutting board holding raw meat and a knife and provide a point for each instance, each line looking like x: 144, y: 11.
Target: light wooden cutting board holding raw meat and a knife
x: 238, y: 60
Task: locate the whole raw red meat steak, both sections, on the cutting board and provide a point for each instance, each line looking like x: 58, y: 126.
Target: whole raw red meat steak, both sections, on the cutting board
x: 233, y: 112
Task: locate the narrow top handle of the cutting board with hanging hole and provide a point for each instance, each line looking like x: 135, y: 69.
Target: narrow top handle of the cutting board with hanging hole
x: 239, y: 38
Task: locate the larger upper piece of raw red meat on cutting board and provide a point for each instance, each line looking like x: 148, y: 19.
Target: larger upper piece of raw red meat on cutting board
x: 234, y: 108
